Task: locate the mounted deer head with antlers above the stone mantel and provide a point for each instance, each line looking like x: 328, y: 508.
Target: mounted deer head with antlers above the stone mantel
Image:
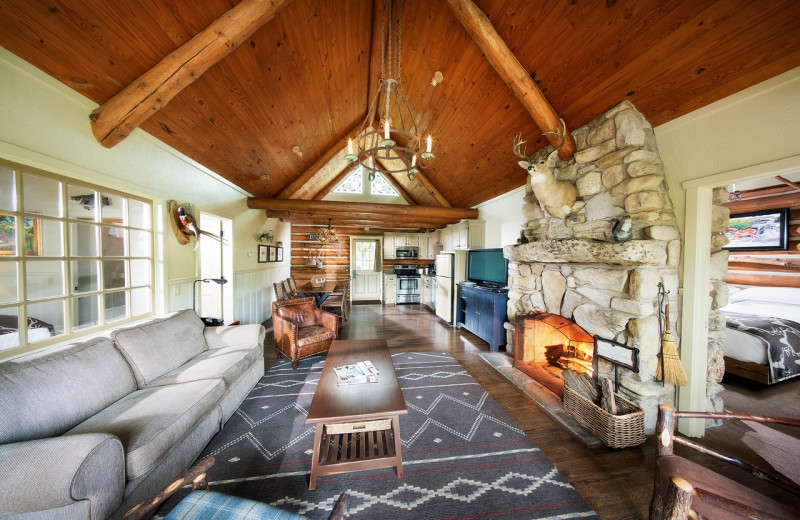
x: 557, y: 197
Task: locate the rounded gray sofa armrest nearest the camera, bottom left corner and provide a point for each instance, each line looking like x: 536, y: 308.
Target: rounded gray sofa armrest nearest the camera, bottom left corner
x: 55, y: 472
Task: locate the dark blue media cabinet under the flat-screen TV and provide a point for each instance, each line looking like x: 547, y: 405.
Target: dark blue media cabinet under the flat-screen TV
x: 482, y: 311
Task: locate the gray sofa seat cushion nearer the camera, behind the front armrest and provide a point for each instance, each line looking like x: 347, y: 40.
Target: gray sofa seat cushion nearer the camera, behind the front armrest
x: 150, y: 422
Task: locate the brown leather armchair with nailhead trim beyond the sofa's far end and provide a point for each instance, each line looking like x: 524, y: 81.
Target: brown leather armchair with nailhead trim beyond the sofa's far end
x: 302, y: 330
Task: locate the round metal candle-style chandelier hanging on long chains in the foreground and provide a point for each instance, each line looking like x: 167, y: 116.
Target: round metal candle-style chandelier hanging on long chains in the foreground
x: 396, y: 147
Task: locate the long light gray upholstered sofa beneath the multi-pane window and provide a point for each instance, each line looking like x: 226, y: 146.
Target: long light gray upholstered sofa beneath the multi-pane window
x: 90, y: 429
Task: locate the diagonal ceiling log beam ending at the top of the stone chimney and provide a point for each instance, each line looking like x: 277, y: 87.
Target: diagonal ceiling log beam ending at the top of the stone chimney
x: 512, y: 72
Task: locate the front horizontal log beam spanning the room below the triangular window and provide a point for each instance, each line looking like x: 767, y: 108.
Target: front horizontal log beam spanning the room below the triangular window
x: 323, y: 206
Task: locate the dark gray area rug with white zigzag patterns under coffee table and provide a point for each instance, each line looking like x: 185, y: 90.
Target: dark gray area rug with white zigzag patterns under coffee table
x: 463, y: 457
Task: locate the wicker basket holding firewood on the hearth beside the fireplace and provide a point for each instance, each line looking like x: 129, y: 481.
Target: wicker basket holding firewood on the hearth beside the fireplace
x: 615, y: 431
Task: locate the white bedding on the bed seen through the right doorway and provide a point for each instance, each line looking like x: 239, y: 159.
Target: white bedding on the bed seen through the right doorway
x: 777, y: 302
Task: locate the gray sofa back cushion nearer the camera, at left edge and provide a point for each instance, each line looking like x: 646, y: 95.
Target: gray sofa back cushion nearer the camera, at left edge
x: 46, y: 393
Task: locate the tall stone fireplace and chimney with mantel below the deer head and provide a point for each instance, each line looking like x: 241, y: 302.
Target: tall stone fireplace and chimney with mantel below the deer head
x: 578, y: 268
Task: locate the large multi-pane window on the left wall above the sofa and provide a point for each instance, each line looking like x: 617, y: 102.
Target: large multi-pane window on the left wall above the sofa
x: 72, y: 256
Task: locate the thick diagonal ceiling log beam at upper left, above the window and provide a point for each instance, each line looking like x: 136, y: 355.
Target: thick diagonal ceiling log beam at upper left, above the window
x: 115, y: 119
